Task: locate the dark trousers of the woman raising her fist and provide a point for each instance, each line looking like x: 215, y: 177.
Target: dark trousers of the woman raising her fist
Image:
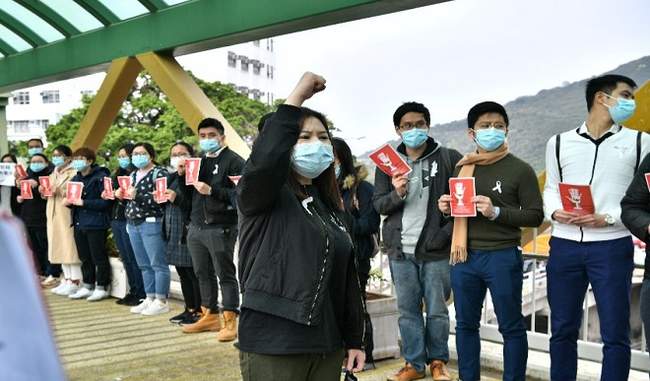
x: 307, y: 367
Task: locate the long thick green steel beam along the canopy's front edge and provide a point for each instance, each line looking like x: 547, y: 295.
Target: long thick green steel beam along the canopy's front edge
x: 189, y: 27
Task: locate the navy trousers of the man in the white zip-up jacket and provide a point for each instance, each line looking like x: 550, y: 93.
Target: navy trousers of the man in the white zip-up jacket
x: 608, y: 266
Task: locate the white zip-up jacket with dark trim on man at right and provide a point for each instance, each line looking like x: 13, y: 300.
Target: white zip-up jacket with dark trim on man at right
x: 607, y: 164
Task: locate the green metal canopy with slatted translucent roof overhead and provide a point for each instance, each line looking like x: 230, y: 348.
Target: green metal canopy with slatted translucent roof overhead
x: 48, y: 40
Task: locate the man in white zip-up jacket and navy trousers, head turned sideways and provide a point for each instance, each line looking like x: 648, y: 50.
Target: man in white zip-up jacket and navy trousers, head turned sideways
x: 594, y: 248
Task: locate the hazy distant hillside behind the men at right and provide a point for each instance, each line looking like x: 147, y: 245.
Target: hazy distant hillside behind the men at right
x: 534, y: 119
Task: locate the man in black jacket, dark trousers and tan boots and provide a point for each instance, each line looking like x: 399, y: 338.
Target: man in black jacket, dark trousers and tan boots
x: 213, y: 231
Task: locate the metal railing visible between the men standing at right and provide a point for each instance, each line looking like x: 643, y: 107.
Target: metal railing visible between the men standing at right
x: 534, y: 307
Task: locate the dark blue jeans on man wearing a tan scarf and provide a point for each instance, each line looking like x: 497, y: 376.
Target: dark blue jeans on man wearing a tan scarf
x: 500, y: 271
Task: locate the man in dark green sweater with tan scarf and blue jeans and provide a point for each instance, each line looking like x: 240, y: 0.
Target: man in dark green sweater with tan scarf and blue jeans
x: 485, y: 249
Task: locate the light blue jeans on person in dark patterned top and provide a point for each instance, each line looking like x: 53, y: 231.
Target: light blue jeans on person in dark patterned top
x: 149, y: 248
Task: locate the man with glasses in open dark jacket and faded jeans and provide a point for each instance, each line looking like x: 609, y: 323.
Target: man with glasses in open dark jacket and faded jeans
x: 416, y: 239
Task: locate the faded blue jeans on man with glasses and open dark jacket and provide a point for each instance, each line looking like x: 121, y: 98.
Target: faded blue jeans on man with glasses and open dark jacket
x: 417, y: 282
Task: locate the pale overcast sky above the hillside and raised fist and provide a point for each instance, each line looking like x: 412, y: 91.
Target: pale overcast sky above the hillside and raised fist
x: 455, y: 54
